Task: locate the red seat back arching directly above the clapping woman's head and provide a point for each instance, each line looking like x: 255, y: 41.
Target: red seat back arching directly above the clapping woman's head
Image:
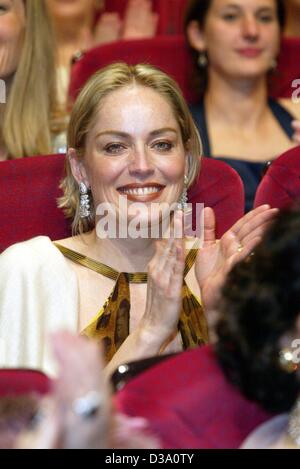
x: 170, y: 53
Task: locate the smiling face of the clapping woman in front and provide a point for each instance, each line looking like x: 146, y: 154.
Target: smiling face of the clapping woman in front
x: 135, y: 151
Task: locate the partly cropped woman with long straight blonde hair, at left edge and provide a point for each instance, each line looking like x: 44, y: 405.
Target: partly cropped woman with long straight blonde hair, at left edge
x: 27, y: 50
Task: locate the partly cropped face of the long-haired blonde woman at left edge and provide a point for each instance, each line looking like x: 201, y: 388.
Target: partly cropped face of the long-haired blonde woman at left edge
x: 12, y: 26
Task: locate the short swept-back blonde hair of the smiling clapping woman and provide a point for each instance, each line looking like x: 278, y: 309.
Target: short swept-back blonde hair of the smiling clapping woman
x: 85, y: 112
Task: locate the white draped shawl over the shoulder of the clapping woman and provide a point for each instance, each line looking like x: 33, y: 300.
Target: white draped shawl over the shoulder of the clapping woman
x: 38, y: 295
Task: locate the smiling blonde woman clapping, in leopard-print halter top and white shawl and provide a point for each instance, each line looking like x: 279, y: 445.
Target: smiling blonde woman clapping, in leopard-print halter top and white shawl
x: 131, y: 141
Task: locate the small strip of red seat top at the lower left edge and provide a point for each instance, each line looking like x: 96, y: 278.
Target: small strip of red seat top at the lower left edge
x: 23, y: 381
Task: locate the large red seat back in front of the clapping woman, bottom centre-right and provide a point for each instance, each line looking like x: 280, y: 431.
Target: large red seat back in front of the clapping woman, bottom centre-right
x: 189, y: 403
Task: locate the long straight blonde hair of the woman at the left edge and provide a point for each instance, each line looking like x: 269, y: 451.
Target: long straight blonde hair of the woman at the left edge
x: 27, y: 115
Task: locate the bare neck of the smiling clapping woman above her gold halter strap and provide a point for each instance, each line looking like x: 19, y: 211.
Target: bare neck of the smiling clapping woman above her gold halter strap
x: 124, y: 255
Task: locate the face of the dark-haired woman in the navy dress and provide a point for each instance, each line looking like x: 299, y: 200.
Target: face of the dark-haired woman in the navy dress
x: 241, y: 37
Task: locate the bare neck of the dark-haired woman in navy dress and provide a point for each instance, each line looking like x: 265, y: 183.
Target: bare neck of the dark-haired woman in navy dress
x: 236, y: 103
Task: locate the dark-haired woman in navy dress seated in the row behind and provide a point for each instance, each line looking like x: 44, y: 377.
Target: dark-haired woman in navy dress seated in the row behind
x: 236, y: 46
